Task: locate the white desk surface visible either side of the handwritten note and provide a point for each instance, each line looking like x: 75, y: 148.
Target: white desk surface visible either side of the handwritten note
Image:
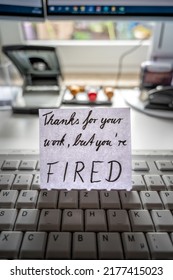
x: 22, y: 131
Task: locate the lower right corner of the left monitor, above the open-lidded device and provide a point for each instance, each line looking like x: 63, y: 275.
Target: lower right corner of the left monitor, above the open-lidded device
x: 22, y: 9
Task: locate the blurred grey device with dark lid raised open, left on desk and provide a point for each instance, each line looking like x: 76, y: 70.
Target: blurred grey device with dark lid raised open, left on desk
x: 40, y: 69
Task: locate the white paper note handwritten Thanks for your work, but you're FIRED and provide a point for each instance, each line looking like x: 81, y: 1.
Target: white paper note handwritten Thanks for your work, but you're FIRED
x: 85, y: 148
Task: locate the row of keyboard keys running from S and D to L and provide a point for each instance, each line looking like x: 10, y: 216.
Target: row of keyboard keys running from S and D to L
x: 86, y: 220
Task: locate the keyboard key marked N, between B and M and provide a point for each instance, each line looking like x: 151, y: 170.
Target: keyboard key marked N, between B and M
x: 109, y: 246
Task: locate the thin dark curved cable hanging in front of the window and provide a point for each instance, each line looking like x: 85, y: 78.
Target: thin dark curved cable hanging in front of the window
x: 120, y: 62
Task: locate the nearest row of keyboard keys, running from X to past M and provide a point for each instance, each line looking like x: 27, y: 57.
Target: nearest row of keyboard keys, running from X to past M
x: 85, y: 245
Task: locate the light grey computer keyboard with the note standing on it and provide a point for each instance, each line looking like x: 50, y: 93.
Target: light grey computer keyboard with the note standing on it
x: 79, y: 224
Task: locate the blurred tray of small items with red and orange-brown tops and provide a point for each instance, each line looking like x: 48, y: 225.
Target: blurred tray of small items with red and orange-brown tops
x: 88, y: 95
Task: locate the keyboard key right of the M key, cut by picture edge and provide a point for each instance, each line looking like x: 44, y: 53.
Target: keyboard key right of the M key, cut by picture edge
x: 160, y: 245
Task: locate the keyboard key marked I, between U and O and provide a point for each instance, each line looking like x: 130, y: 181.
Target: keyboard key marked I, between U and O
x: 130, y: 200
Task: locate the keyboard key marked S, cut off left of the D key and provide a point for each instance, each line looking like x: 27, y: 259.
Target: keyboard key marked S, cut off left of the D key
x: 7, y: 219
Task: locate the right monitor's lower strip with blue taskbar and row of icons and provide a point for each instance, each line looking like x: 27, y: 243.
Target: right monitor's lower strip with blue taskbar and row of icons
x: 114, y: 8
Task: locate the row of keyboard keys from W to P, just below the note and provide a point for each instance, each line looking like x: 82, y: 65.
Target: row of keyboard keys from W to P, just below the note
x: 86, y: 199
